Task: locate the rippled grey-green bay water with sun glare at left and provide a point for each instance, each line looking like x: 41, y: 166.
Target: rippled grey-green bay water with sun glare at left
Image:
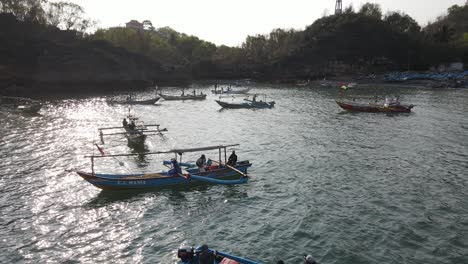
x: 345, y: 187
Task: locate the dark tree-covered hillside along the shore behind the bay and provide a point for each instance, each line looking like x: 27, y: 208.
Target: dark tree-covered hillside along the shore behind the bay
x: 44, y: 42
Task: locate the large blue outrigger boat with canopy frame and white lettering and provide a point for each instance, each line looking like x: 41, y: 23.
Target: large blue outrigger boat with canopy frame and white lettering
x: 217, y: 172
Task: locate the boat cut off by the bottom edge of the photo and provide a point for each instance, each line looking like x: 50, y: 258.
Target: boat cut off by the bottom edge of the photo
x: 189, y: 255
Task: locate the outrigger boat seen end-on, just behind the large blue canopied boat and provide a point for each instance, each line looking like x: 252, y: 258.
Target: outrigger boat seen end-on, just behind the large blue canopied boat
x: 136, y: 130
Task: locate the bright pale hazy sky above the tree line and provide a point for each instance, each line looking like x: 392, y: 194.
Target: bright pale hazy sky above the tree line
x: 229, y: 22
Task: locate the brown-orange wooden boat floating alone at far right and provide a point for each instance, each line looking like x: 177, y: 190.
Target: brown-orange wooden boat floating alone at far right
x: 392, y: 105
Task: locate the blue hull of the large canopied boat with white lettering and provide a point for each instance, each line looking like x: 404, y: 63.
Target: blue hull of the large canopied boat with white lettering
x: 158, y: 180
